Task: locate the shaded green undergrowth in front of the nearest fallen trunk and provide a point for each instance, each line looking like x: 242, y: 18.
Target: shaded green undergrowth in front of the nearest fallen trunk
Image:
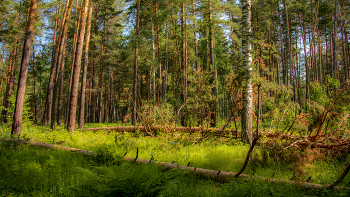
x: 34, y: 171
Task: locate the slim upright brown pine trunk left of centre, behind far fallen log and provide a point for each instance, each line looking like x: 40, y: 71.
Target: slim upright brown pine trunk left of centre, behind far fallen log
x: 134, y: 87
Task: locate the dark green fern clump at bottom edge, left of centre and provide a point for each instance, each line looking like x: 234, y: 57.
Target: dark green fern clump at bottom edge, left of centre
x: 126, y: 180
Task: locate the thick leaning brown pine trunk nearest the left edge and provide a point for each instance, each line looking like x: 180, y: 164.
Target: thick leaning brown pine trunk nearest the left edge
x: 18, y: 113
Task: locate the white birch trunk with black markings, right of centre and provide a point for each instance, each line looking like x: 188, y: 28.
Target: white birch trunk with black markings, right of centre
x: 247, y: 110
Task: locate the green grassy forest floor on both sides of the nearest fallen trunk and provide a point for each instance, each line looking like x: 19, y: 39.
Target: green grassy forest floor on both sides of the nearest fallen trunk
x: 35, y: 171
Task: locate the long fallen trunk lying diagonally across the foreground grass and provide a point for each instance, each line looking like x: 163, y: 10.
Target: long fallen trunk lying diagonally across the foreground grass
x: 215, y: 175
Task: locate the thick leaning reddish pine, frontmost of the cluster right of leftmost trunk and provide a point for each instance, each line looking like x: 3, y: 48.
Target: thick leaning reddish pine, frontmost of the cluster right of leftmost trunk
x: 77, y: 63
